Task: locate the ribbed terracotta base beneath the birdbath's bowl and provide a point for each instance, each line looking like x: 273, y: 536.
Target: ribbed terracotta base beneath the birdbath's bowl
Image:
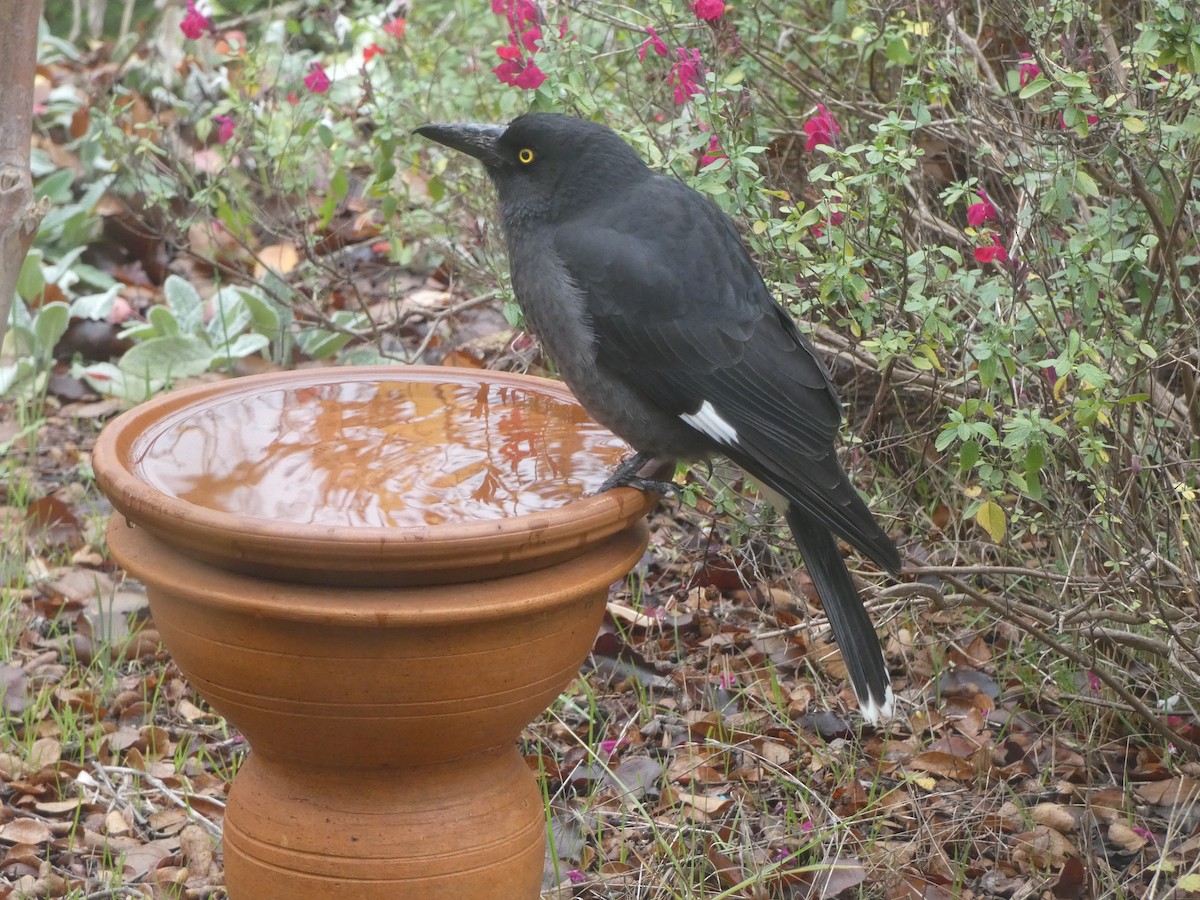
x: 459, y: 831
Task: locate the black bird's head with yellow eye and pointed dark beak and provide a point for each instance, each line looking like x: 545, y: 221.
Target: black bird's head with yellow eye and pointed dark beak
x: 545, y: 165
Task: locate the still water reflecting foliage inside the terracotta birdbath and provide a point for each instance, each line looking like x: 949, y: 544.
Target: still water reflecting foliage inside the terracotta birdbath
x: 379, y: 453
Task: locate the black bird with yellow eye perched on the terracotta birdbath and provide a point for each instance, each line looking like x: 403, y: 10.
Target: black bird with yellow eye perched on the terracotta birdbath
x: 646, y: 298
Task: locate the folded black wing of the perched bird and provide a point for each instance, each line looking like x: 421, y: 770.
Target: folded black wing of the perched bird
x: 681, y: 315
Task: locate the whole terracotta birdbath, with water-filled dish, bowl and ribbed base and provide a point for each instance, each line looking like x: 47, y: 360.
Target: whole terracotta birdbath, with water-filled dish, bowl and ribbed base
x: 380, y: 577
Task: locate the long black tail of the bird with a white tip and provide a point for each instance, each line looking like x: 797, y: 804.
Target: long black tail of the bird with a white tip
x: 851, y: 626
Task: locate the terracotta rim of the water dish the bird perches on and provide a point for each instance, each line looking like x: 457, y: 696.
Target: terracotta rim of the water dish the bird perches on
x: 344, y: 554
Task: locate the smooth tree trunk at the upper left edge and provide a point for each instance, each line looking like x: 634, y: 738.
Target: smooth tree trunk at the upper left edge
x: 20, y: 215
